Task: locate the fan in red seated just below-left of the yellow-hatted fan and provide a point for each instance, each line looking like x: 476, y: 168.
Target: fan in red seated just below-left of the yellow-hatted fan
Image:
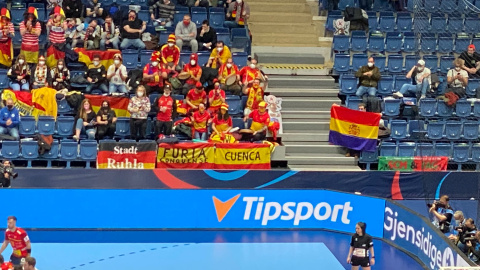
x: 154, y: 74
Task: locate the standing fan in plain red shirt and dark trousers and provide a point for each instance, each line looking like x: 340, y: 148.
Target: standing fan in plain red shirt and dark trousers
x: 166, y: 107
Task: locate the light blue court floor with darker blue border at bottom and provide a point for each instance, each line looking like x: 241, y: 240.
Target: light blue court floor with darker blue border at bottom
x: 213, y: 250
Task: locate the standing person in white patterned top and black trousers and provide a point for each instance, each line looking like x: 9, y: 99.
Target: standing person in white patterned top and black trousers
x: 139, y: 107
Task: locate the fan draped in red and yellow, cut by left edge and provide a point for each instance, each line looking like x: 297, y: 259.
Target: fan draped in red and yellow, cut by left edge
x: 7, y: 32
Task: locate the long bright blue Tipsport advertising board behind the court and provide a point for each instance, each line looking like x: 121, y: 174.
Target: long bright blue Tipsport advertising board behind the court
x: 193, y: 209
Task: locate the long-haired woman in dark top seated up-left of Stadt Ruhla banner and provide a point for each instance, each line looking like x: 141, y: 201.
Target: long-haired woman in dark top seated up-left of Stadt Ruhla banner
x: 85, y: 121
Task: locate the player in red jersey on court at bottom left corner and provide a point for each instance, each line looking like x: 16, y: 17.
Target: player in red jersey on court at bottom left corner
x: 19, y: 241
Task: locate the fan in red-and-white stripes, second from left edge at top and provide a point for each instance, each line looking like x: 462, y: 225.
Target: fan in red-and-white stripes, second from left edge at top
x: 30, y: 30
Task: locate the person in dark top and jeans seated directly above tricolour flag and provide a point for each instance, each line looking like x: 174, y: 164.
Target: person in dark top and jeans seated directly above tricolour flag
x: 369, y: 76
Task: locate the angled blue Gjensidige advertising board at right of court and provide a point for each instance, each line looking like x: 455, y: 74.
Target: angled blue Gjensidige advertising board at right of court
x: 417, y: 235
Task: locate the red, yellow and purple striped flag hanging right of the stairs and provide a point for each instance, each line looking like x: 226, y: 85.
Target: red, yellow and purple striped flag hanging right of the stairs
x: 353, y: 129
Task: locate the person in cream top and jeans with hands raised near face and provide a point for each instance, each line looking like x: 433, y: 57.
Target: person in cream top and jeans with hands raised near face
x: 117, y: 75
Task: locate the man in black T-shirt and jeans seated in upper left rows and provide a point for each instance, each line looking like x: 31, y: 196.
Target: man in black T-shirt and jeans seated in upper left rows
x: 132, y: 31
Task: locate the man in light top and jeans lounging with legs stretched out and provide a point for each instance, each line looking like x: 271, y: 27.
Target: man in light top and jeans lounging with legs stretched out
x: 422, y: 76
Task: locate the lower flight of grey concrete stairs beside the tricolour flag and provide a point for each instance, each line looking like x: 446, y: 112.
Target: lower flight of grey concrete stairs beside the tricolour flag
x: 306, y: 119
